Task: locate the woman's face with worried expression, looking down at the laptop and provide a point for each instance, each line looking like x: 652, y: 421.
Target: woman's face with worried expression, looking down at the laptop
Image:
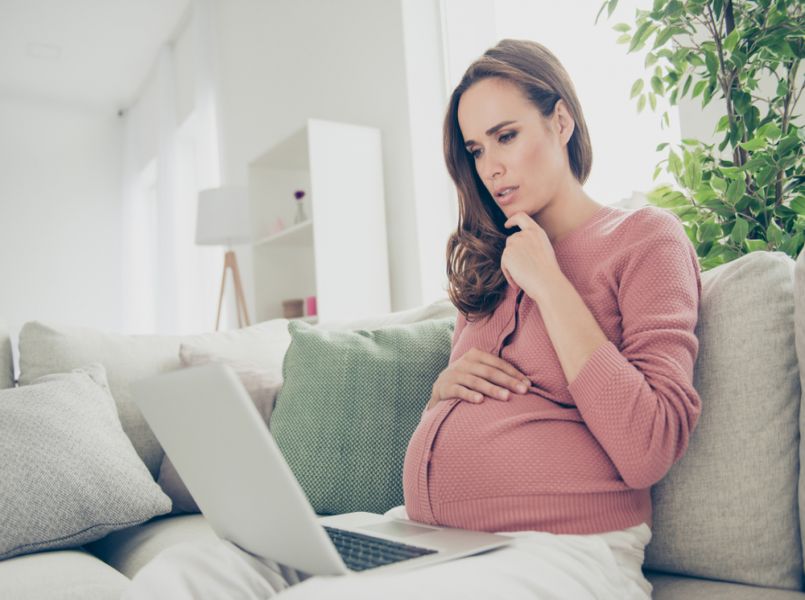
x: 519, y: 155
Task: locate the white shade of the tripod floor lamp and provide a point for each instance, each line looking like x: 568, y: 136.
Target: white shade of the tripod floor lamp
x: 224, y: 217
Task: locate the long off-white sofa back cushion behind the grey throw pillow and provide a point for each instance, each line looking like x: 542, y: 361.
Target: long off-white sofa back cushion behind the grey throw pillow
x: 46, y: 349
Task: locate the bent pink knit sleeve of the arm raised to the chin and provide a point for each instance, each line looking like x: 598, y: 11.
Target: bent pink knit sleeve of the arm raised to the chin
x: 638, y: 400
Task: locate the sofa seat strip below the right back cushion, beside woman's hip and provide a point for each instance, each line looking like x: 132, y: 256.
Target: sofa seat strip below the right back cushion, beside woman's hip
x: 674, y: 587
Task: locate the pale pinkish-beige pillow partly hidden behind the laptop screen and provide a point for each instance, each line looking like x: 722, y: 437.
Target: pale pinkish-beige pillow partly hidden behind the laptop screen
x: 261, y: 385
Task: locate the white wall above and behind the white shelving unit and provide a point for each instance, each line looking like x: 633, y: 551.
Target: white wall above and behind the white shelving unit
x: 283, y: 61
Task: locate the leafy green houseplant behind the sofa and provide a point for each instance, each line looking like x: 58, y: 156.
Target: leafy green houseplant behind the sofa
x: 745, y: 193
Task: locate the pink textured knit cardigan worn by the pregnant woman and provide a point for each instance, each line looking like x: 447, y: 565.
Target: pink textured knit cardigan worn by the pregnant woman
x: 576, y: 458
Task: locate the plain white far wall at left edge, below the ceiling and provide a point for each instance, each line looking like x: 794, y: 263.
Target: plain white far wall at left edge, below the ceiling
x: 59, y: 214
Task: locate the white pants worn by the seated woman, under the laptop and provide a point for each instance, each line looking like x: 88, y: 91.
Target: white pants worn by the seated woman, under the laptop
x: 536, y: 565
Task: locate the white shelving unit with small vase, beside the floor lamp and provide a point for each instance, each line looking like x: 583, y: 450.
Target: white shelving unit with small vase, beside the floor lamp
x: 339, y: 254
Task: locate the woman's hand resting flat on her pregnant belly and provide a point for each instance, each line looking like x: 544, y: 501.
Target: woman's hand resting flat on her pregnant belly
x: 477, y: 375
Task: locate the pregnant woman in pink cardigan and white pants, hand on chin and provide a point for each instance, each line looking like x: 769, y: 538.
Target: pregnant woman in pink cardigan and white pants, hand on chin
x: 568, y: 393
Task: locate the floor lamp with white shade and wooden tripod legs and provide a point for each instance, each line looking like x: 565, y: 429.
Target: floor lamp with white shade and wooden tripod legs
x: 224, y: 219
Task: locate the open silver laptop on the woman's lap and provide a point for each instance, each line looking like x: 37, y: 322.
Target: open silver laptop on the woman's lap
x: 227, y: 458
